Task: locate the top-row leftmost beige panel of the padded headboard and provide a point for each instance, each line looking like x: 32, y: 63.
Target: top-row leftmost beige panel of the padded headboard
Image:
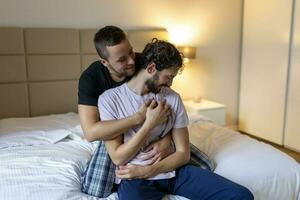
x: 11, y: 41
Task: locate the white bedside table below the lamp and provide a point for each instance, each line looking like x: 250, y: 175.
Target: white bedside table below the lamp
x: 212, y: 110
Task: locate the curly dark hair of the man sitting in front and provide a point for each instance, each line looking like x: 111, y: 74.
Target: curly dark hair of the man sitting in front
x: 162, y: 53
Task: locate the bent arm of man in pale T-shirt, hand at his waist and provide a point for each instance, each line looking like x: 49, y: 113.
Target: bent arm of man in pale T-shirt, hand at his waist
x: 172, y: 162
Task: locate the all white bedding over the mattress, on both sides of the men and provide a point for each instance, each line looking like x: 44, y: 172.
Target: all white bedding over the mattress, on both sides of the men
x: 50, y: 167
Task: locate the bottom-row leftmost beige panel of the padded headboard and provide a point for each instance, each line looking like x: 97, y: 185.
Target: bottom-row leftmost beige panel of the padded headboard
x: 13, y: 100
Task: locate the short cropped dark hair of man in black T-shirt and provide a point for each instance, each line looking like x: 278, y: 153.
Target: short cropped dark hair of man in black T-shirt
x: 108, y: 36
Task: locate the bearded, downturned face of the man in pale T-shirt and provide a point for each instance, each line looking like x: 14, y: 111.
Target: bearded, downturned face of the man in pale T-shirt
x: 161, y: 79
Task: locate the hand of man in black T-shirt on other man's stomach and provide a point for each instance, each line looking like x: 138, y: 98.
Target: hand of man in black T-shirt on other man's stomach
x: 158, y: 150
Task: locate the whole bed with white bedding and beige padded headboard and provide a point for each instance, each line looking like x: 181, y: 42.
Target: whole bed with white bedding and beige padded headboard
x: 43, y: 153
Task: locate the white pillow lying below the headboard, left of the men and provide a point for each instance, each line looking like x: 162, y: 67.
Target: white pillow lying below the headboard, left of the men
x: 39, y: 130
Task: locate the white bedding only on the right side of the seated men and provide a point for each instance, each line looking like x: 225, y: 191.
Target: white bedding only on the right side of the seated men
x: 267, y: 172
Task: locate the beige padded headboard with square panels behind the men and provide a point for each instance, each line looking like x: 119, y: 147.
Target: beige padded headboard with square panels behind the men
x: 40, y: 67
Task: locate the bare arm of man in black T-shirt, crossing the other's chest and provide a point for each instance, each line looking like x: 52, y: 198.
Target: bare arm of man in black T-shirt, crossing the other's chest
x: 104, y: 130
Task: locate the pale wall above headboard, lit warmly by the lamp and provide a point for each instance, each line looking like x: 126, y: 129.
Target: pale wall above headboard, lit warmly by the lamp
x: 213, y: 26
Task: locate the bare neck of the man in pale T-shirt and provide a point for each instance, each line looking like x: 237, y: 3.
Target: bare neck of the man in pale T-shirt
x: 137, y: 84
